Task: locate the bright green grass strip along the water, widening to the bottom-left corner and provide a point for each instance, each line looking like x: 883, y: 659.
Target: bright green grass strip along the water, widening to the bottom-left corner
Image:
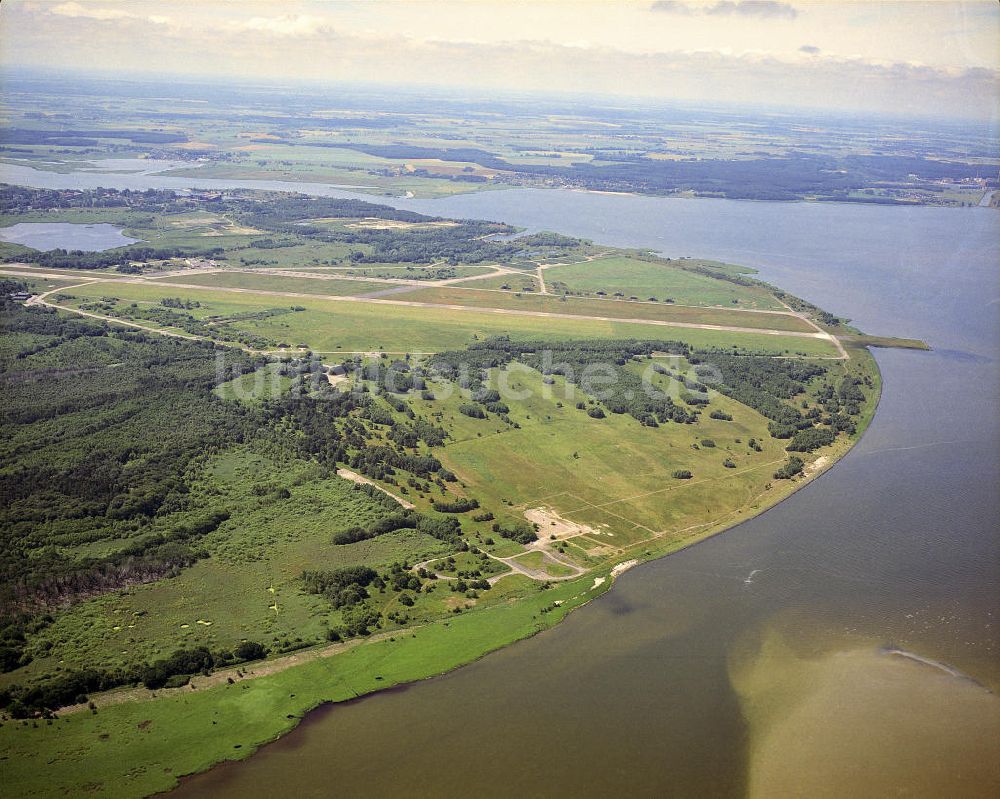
x: 139, y: 748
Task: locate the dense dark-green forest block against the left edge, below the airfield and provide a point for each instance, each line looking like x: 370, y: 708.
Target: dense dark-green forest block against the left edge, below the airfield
x: 79, y: 462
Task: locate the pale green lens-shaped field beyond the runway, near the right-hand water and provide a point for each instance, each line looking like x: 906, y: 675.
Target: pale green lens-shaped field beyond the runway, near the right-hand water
x: 646, y: 279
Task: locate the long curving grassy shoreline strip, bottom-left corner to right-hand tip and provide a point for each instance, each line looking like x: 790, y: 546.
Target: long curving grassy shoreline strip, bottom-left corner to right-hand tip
x: 321, y: 678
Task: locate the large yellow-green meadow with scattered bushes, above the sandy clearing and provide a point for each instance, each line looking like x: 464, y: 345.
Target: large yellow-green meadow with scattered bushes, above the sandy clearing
x: 612, y: 474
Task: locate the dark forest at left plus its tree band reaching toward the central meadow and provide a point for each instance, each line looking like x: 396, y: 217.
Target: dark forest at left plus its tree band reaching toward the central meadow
x: 84, y: 459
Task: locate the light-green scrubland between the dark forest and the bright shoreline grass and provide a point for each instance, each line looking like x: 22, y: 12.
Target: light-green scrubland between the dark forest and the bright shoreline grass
x: 249, y: 588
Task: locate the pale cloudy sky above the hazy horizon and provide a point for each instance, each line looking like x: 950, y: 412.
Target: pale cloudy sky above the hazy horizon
x: 928, y: 58
